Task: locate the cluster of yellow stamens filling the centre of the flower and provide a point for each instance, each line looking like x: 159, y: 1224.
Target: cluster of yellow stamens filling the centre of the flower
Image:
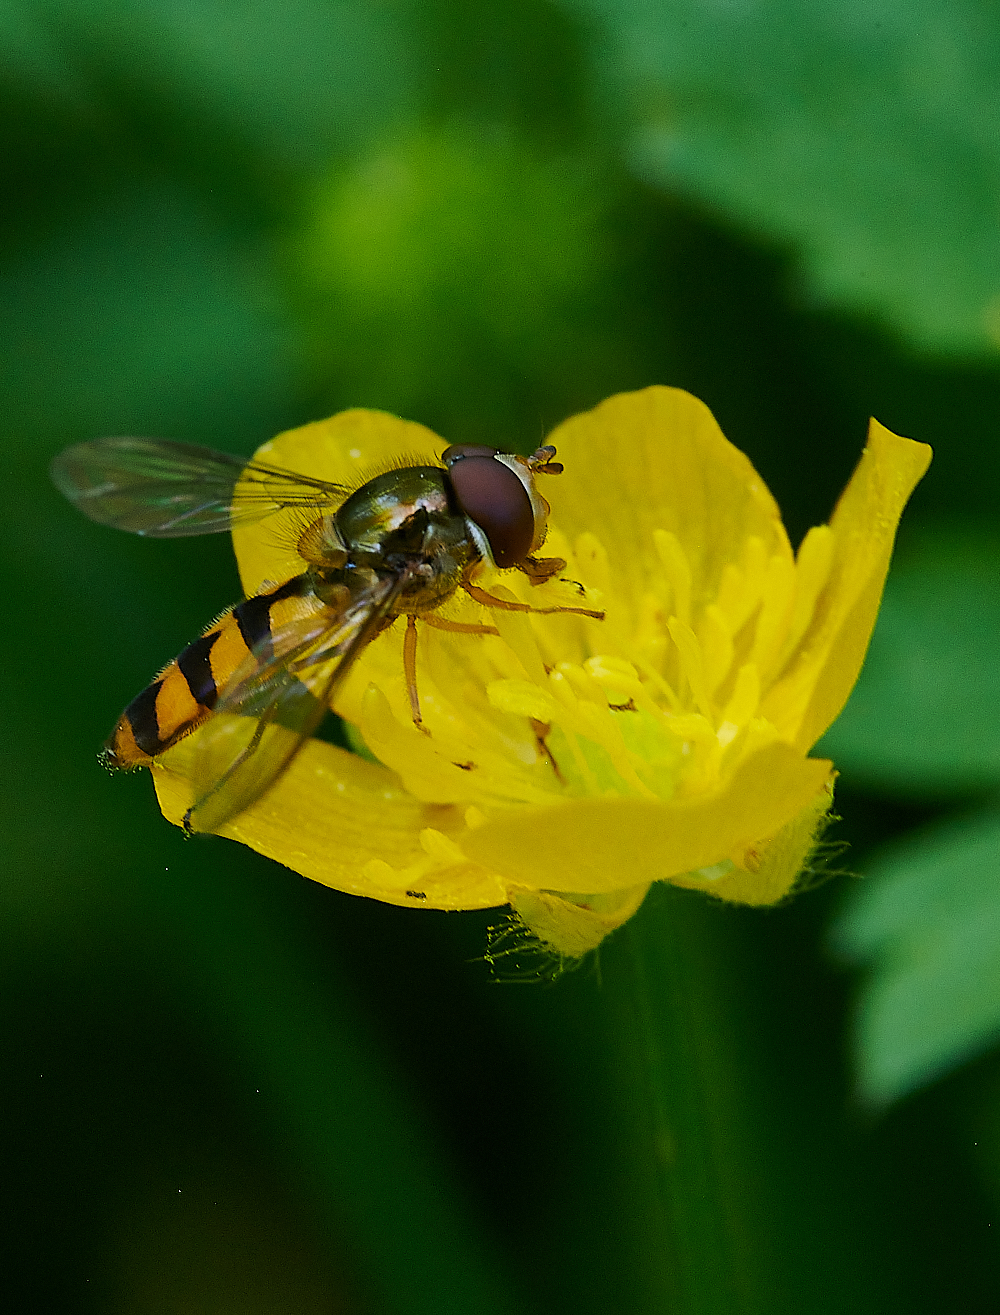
x: 653, y: 703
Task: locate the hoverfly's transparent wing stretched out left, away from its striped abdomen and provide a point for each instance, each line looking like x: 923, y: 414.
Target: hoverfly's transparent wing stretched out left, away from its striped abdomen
x: 166, y: 491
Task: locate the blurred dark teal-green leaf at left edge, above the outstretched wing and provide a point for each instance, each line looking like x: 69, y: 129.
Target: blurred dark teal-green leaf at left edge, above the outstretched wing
x: 141, y: 310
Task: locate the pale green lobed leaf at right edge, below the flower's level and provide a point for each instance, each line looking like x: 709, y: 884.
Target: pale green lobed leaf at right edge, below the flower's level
x: 928, y: 928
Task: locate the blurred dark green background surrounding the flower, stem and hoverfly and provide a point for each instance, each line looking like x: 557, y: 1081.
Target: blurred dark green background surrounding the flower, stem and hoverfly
x: 227, y: 1089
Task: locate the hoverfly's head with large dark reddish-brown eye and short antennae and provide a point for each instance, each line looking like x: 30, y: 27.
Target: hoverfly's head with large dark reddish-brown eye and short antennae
x: 497, y: 492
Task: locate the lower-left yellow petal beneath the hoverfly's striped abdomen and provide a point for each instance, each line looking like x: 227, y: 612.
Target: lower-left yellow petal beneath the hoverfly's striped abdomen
x: 348, y: 824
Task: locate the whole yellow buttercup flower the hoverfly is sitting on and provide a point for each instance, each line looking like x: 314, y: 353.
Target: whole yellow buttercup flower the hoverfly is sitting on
x: 574, y: 762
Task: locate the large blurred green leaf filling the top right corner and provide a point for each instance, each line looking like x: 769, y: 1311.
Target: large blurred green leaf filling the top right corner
x: 868, y: 136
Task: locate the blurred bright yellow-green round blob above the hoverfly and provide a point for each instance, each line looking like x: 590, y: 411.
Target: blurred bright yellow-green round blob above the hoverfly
x: 457, y: 273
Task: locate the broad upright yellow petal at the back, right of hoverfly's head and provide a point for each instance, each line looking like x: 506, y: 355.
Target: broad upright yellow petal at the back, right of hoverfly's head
x: 657, y: 461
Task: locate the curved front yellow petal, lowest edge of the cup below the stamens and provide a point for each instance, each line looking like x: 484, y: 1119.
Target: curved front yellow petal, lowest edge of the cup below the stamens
x: 603, y: 845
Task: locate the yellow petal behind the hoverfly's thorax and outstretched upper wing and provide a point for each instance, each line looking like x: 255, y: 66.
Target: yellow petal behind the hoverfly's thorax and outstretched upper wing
x: 348, y: 449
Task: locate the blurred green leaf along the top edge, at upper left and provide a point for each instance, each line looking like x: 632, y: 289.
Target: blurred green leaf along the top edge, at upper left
x: 297, y: 78
